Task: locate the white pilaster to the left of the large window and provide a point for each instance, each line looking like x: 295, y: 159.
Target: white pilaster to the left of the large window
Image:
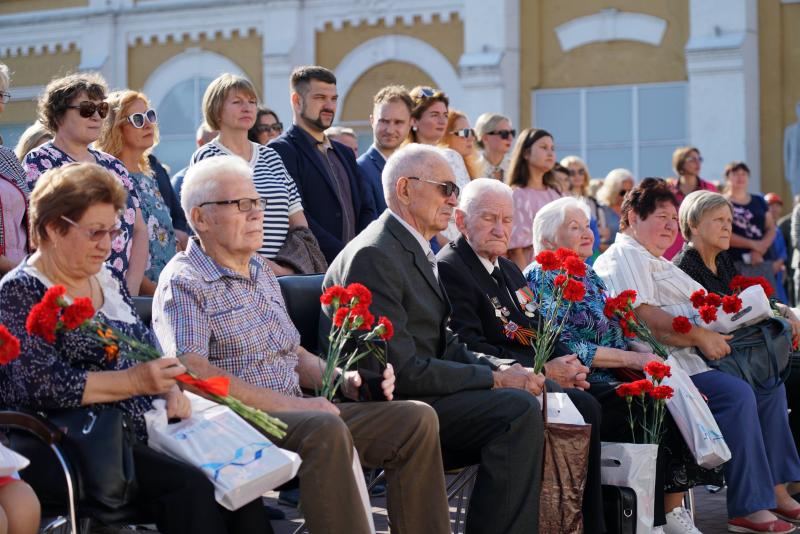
x: 490, y: 65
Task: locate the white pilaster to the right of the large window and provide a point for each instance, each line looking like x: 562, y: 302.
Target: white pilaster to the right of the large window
x: 722, y: 64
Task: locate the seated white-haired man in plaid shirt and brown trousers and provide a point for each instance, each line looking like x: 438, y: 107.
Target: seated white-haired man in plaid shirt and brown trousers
x: 219, y: 307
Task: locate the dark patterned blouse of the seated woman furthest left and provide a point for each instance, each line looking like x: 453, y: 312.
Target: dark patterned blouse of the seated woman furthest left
x: 49, y: 377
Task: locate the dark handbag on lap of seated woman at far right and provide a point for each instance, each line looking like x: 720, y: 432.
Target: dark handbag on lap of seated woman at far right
x: 759, y: 354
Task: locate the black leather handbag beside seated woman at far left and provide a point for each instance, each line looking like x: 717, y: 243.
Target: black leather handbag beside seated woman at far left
x: 99, y: 444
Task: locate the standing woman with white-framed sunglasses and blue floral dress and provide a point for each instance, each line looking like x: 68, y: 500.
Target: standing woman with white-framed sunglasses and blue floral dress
x: 130, y: 133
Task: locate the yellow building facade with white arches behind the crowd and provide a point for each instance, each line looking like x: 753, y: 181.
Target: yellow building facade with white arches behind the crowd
x: 619, y: 82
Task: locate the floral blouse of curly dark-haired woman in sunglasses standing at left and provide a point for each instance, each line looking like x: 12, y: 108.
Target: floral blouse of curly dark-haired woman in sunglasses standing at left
x: 48, y: 156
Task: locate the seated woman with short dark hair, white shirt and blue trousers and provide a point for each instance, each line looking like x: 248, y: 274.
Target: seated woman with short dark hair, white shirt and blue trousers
x: 755, y: 425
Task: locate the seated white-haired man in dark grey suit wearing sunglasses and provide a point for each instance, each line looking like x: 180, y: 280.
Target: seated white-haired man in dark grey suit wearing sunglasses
x: 488, y: 413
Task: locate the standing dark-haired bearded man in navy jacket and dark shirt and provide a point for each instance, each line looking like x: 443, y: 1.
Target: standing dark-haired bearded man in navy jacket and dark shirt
x: 336, y: 199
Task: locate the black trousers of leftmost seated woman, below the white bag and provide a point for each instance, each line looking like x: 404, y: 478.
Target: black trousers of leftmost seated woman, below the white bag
x: 180, y: 499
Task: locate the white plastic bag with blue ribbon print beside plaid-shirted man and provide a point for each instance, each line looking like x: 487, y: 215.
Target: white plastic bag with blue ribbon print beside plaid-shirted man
x: 240, y: 462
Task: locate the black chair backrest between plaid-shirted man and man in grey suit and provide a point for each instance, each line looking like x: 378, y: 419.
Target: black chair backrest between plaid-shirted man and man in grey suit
x: 301, y: 293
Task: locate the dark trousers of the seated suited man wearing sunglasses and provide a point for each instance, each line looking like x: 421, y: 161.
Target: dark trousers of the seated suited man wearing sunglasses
x: 502, y: 431
